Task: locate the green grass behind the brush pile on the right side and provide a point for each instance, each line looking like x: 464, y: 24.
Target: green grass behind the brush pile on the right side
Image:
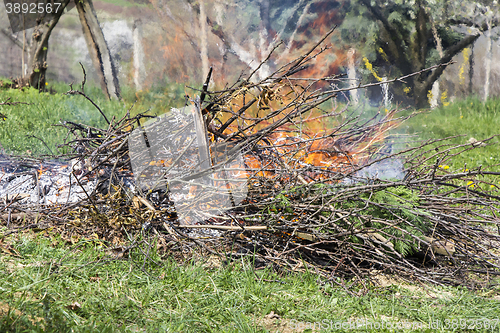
x: 467, y: 119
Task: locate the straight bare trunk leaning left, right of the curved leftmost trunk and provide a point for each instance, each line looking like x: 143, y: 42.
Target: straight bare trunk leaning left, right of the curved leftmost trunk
x: 98, y: 48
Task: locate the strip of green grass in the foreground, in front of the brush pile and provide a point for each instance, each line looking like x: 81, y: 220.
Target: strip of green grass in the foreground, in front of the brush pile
x: 44, y: 278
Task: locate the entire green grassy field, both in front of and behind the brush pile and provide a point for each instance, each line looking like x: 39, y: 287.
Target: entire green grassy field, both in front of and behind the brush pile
x: 52, y: 284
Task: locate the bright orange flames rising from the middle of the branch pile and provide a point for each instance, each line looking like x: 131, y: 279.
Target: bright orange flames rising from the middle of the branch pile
x: 310, y: 145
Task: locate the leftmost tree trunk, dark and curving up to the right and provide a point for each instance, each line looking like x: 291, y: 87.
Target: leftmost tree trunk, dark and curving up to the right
x: 39, y: 50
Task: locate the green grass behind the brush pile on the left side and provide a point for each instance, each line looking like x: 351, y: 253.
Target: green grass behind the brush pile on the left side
x: 23, y: 121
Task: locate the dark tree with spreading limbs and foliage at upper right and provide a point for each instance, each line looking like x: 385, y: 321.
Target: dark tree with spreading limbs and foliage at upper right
x: 403, y: 37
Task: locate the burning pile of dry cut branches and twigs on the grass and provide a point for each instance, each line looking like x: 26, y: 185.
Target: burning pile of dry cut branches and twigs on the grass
x: 272, y: 168
